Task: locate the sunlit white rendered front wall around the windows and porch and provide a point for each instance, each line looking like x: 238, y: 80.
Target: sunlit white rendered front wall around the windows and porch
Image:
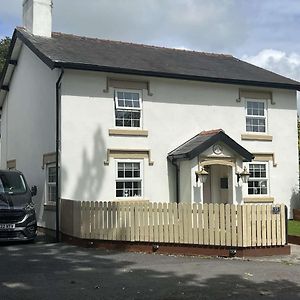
x: 177, y: 111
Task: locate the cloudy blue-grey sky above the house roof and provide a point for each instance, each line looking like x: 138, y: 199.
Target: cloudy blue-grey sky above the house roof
x: 262, y: 32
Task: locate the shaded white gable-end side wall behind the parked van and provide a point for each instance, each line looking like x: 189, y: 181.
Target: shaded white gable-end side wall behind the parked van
x: 28, y: 124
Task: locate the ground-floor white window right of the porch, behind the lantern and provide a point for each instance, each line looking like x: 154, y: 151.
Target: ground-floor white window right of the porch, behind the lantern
x: 258, y: 181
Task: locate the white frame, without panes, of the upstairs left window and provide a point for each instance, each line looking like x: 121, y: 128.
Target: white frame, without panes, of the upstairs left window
x: 117, y: 107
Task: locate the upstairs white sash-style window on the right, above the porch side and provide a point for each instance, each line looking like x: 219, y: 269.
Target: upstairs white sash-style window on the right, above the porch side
x: 256, y: 116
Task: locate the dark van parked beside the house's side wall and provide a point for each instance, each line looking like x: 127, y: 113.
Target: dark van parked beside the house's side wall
x: 17, y: 214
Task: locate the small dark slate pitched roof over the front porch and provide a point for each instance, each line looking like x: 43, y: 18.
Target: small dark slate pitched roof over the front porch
x: 203, y: 141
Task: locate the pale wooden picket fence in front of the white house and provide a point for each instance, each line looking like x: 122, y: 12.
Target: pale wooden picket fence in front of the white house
x: 207, y: 224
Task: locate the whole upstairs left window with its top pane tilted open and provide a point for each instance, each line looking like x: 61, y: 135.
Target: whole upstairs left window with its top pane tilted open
x: 128, y: 108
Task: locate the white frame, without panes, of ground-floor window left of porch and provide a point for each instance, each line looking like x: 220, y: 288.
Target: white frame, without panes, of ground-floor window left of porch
x: 141, y: 178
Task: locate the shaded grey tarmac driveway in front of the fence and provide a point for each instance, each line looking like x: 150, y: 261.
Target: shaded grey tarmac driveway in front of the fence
x: 46, y: 270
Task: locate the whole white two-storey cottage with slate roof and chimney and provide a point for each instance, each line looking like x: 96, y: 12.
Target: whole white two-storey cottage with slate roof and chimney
x: 92, y: 119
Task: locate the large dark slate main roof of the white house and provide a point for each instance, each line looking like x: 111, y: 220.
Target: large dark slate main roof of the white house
x: 70, y: 51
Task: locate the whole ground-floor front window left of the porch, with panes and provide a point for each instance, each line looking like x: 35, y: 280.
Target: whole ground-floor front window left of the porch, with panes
x: 129, y: 179
